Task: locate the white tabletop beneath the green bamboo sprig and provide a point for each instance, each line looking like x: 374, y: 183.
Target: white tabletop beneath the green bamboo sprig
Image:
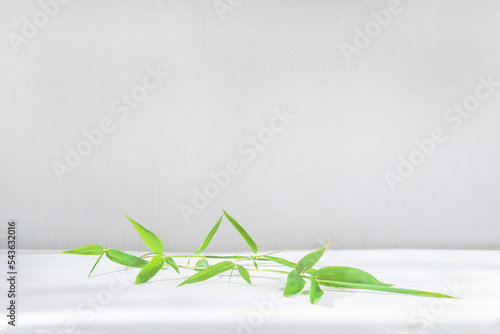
x: 55, y: 296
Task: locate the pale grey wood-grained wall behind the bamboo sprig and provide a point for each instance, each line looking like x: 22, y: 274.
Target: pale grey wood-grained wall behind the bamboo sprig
x: 319, y: 180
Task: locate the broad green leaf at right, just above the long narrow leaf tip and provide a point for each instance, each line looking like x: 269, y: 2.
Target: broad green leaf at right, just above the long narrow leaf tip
x: 348, y: 275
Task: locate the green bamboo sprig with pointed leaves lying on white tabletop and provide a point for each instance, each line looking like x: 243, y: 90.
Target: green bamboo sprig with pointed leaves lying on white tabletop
x: 331, y: 276
